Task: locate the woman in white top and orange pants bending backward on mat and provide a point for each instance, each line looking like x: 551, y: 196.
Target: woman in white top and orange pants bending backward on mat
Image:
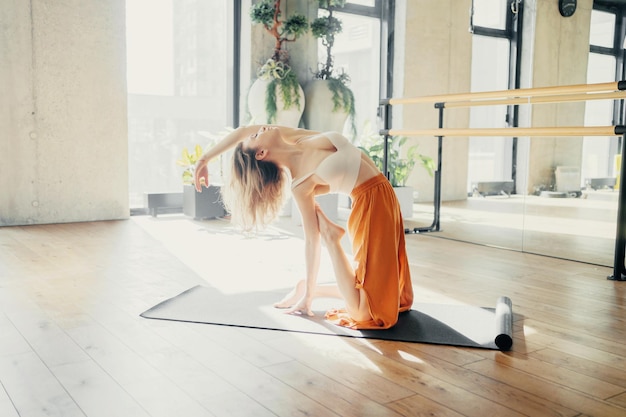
x: 264, y: 159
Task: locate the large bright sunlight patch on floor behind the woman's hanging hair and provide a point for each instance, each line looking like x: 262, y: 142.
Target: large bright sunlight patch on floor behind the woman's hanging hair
x: 231, y: 261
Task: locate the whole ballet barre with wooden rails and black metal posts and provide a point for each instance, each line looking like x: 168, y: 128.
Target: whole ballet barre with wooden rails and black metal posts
x: 541, y: 95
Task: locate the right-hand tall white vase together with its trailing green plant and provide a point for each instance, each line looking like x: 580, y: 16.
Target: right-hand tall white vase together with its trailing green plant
x: 328, y: 89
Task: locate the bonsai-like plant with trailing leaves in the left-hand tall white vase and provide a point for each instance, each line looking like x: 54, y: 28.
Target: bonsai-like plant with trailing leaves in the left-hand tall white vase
x: 277, y: 69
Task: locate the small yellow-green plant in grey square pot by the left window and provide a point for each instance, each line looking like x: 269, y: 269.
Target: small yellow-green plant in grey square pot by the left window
x: 205, y: 204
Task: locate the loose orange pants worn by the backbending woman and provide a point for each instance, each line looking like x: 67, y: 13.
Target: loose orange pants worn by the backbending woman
x: 378, y: 245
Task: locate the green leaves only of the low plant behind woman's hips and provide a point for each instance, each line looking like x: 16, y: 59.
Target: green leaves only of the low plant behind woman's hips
x: 399, y: 168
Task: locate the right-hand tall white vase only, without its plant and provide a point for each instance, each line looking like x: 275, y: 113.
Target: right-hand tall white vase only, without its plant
x: 318, y: 113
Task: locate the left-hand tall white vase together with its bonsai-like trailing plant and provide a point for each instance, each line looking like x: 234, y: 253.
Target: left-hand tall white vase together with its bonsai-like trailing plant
x: 277, y: 87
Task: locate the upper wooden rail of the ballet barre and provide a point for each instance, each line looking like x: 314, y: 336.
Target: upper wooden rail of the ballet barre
x: 516, y: 93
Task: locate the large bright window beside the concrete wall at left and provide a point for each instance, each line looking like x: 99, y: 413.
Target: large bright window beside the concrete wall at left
x: 179, y: 59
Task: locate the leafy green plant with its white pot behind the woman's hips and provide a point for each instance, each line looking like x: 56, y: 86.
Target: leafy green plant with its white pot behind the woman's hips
x: 398, y: 168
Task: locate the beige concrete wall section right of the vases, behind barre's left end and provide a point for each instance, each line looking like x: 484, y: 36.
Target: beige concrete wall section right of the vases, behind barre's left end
x: 433, y: 56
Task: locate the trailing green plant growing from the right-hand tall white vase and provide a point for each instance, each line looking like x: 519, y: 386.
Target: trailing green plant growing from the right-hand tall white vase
x: 326, y: 28
